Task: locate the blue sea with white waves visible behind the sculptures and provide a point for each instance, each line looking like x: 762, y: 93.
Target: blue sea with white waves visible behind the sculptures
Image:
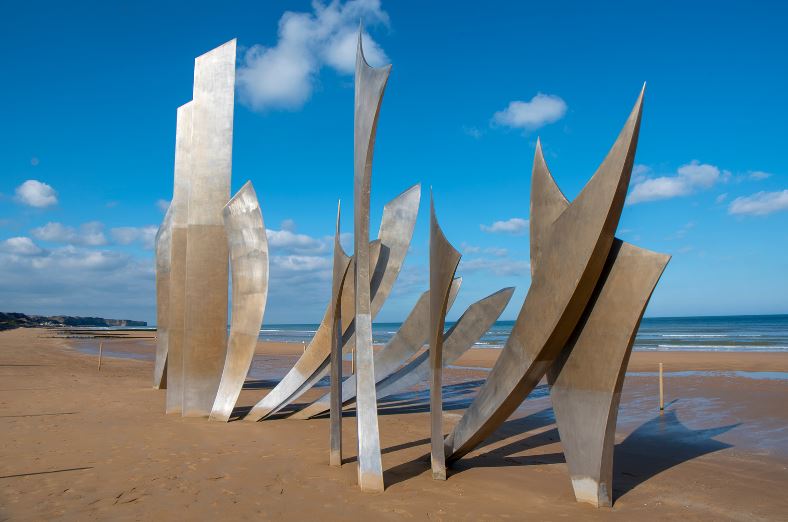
x: 752, y: 333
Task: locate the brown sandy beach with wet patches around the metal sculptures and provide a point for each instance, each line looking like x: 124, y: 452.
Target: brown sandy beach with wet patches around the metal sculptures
x: 82, y: 445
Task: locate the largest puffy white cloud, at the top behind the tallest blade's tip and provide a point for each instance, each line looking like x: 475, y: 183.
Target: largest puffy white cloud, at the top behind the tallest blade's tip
x: 283, y: 76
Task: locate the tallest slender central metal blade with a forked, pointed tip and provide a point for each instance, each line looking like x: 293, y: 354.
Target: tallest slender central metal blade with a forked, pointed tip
x: 370, y: 84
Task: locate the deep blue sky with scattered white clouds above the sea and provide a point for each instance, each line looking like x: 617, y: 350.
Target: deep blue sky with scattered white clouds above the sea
x: 90, y: 89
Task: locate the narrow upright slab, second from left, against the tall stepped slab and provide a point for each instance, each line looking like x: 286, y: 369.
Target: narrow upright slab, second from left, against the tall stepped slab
x: 177, y: 298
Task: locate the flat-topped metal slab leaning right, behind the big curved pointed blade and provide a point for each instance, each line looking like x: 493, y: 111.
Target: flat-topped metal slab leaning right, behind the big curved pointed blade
x: 586, y: 380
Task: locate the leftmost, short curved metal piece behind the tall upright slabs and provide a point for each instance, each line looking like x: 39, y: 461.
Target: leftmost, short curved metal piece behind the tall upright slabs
x: 163, y: 261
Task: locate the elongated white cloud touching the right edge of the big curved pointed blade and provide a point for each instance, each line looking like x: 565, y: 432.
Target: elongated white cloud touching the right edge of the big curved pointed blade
x: 688, y: 179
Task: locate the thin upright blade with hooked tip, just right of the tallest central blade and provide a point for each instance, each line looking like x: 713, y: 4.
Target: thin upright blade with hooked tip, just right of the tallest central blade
x: 444, y: 259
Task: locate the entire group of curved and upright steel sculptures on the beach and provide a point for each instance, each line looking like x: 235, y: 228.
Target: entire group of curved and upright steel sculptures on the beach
x: 576, y: 327
